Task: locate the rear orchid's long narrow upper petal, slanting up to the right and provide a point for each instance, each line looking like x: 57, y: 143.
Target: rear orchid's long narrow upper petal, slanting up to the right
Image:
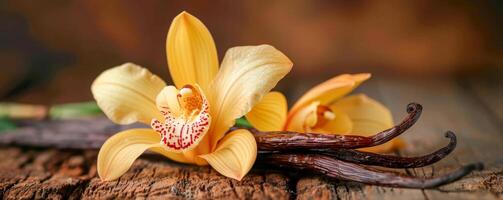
x: 330, y: 90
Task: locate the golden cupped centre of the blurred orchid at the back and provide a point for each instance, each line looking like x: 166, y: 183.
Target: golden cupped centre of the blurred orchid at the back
x: 310, y: 119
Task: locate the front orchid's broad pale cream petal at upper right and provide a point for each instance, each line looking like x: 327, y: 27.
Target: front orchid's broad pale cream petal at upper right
x: 246, y: 75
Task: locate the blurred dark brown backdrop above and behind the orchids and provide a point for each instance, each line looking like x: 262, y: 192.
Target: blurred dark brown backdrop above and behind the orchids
x: 52, y: 50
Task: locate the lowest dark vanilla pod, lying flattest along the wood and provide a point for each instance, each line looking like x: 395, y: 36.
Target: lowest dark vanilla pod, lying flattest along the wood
x: 342, y: 170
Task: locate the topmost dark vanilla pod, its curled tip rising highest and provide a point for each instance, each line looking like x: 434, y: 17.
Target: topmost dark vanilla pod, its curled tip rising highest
x: 285, y: 140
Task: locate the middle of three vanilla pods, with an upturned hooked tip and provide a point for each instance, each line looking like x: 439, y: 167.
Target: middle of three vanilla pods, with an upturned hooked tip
x: 391, y: 161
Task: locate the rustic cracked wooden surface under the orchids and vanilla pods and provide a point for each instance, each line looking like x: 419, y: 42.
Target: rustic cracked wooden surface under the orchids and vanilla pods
x: 472, y: 109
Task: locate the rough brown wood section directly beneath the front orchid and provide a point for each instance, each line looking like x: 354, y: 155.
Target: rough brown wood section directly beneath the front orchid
x: 161, y: 180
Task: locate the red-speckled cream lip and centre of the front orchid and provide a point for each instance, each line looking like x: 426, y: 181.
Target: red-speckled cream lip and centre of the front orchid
x: 187, y: 117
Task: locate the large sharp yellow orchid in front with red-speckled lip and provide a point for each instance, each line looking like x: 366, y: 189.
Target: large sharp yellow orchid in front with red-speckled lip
x: 188, y: 120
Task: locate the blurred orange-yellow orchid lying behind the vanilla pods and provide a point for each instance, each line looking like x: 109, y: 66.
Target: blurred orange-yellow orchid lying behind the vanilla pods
x: 326, y: 109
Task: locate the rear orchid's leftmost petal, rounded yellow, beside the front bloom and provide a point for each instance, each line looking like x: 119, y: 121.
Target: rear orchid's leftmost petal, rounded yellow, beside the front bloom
x: 270, y: 113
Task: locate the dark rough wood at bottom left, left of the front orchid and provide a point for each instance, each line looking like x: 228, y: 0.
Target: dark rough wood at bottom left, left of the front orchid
x: 47, y: 174
